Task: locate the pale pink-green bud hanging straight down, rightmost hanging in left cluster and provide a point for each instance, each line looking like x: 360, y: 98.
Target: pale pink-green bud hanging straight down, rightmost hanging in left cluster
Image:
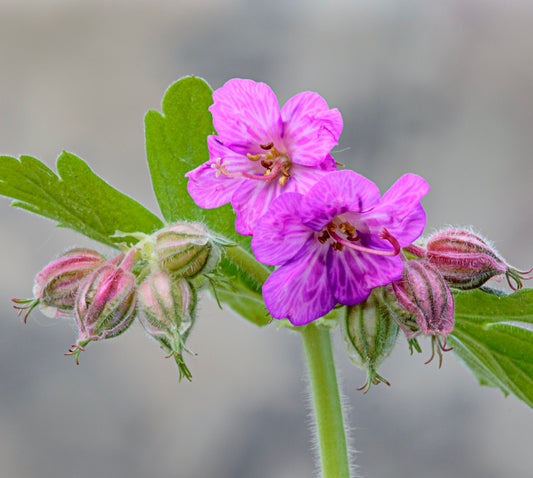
x: 169, y: 309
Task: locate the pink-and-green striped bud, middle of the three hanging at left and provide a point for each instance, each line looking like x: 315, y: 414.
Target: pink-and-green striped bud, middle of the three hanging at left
x: 106, y: 302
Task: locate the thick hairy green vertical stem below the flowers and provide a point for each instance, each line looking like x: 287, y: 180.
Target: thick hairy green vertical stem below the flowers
x: 326, y: 401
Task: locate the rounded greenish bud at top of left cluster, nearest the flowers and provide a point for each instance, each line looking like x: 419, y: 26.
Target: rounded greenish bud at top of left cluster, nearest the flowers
x: 186, y: 249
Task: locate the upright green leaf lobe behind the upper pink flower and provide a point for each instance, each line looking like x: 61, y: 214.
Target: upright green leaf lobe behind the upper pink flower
x: 176, y: 142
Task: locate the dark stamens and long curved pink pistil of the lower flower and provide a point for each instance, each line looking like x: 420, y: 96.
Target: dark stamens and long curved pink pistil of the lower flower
x: 344, y: 234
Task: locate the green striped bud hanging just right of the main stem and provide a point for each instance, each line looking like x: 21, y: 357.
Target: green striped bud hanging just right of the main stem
x: 369, y: 334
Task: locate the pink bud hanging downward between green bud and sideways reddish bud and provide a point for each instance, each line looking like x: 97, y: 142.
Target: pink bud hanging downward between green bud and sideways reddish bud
x: 423, y: 292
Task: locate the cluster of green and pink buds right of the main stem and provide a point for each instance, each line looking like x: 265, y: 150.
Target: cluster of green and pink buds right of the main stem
x: 421, y: 302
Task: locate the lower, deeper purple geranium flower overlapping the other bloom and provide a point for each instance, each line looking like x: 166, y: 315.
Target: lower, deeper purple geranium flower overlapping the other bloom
x: 336, y: 243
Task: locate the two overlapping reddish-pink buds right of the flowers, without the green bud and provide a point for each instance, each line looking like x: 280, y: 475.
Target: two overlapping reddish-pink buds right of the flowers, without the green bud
x: 421, y: 302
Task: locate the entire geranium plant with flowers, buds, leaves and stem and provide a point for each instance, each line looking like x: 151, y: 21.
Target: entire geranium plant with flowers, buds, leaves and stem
x: 255, y: 210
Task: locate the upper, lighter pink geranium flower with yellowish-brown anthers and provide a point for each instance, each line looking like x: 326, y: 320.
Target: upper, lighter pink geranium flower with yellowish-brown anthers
x: 262, y: 151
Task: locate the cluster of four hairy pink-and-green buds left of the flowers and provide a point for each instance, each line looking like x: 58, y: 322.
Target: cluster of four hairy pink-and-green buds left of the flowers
x: 154, y: 280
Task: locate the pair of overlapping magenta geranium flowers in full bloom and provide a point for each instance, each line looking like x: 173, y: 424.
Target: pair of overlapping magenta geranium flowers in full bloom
x: 330, y: 232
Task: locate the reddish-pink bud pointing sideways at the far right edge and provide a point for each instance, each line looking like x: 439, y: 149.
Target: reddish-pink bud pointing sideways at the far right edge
x: 466, y: 261
